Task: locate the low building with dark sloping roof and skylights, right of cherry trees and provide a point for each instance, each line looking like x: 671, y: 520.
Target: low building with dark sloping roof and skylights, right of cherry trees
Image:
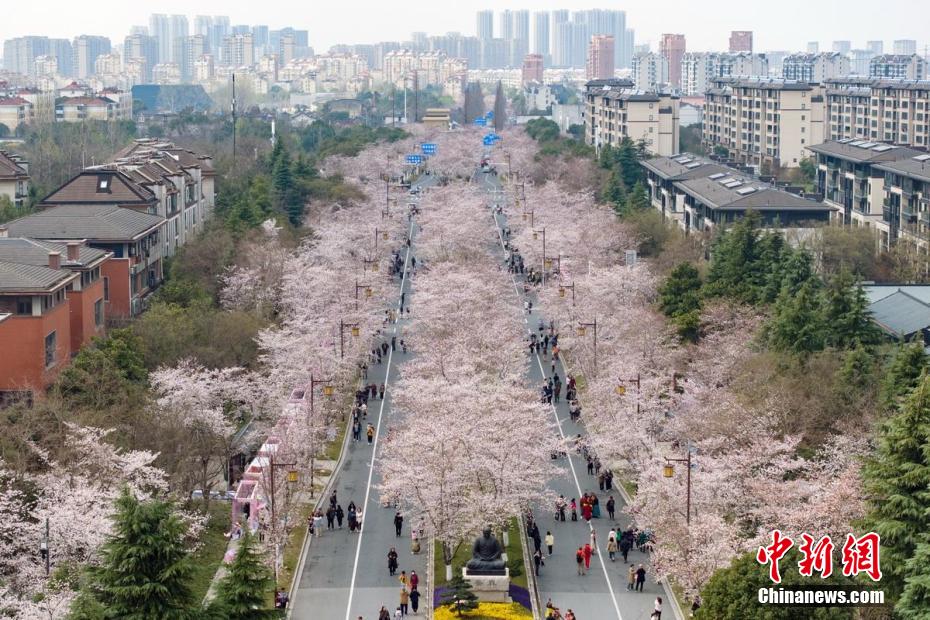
x: 701, y: 196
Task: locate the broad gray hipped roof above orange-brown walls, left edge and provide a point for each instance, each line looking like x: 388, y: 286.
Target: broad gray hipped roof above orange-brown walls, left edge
x: 91, y: 222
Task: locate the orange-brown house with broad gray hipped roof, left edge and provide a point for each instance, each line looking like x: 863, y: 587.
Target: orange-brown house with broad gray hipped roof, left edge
x: 135, y: 269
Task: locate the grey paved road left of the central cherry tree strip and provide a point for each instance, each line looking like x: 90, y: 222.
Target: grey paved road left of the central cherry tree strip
x: 345, y: 575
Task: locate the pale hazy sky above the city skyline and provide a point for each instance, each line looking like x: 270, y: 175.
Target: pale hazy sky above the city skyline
x: 778, y: 25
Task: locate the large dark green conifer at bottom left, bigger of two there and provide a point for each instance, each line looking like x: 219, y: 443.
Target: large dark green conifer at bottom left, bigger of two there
x: 145, y: 568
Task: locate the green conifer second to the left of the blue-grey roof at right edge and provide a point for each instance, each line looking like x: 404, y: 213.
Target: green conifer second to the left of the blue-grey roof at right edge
x: 797, y: 324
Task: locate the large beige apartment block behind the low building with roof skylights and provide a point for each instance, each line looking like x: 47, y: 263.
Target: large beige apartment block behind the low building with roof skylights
x: 763, y: 122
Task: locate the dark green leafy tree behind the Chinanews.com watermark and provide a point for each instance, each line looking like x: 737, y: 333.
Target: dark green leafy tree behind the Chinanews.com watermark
x: 732, y: 592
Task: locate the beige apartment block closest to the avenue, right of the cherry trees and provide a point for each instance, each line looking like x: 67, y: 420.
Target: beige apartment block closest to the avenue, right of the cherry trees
x: 615, y: 109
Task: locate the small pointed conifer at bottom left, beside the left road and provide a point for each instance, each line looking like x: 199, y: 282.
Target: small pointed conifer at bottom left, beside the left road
x: 243, y: 592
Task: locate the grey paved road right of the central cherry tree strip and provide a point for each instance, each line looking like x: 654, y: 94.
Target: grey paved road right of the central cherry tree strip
x: 602, y: 592
